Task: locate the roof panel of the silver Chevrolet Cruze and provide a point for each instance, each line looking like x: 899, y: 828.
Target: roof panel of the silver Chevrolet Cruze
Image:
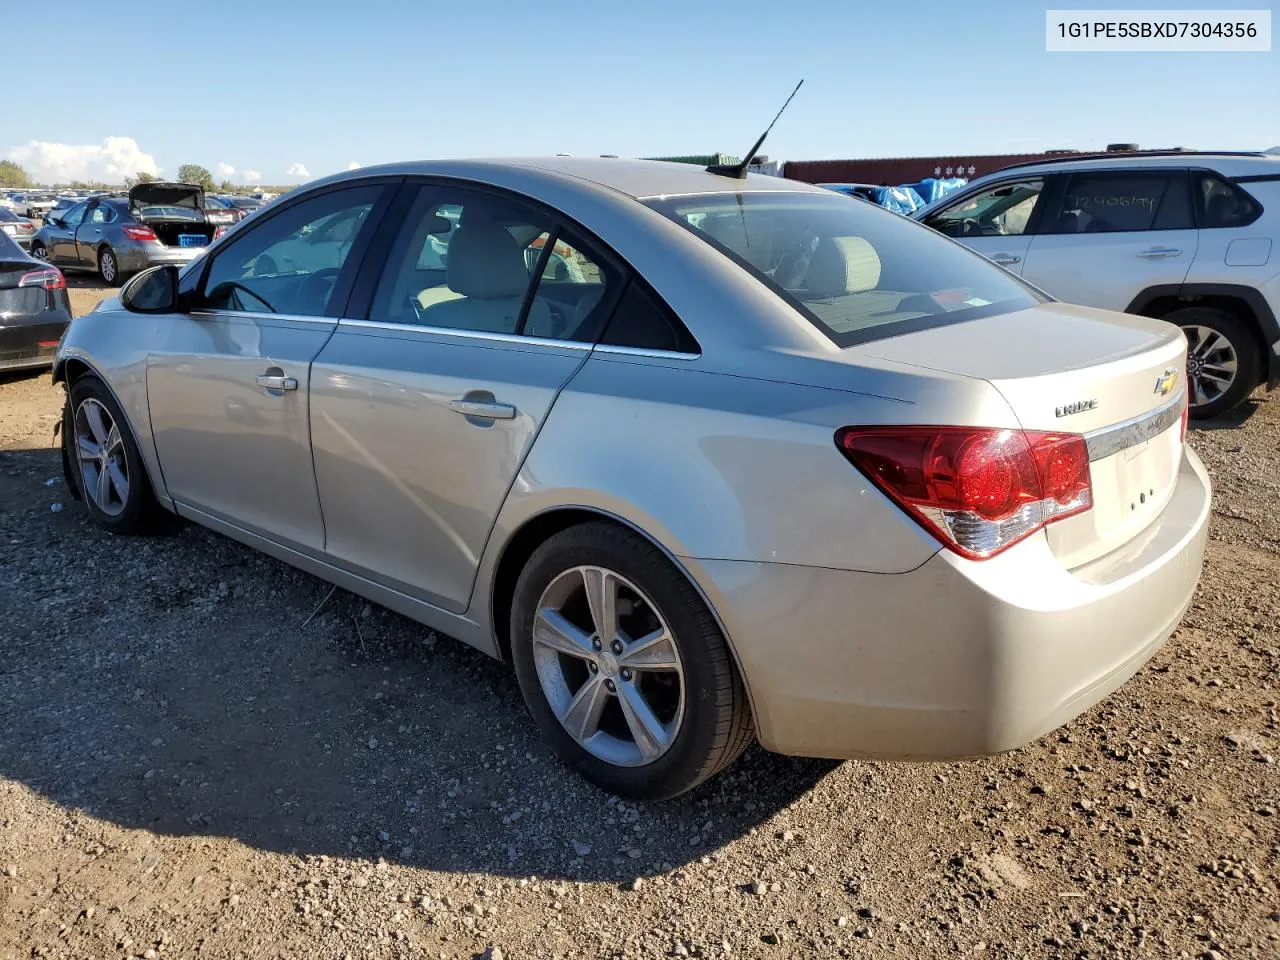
x: 639, y: 180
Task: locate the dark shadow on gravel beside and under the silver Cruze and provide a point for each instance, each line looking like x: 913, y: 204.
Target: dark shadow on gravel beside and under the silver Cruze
x: 188, y: 685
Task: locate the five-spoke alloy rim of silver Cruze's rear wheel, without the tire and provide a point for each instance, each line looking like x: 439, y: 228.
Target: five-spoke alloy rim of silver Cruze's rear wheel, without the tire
x: 610, y: 666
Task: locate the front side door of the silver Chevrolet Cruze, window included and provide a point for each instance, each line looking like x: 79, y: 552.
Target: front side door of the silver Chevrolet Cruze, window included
x: 228, y: 388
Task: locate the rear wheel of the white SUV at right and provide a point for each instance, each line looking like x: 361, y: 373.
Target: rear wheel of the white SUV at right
x: 1224, y: 363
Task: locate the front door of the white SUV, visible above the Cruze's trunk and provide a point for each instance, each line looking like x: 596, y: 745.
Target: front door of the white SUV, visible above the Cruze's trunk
x: 996, y: 220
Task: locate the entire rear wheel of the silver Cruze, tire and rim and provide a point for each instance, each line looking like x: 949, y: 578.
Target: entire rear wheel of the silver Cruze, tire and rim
x: 624, y: 668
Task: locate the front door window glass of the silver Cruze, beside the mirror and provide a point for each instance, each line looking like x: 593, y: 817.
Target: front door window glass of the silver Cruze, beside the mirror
x: 290, y: 263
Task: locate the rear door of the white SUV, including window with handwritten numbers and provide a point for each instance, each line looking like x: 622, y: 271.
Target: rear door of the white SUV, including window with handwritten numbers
x: 1107, y: 236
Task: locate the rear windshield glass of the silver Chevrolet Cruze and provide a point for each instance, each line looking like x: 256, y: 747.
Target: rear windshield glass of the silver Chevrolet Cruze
x: 856, y: 272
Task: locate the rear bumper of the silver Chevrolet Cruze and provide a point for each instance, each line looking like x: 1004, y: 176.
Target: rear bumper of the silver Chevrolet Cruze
x: 956, y: 659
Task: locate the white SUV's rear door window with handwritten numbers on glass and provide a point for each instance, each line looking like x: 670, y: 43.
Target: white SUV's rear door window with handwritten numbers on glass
x: 1122, y: 203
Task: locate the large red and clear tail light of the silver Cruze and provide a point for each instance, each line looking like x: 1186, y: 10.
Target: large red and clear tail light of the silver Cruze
x: 980, y: 491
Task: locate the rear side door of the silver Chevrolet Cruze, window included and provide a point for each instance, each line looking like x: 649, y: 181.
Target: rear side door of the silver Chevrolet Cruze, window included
x: 426, y: 406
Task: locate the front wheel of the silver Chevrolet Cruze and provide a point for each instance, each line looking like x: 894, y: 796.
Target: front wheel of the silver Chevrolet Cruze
x: 106, y: 464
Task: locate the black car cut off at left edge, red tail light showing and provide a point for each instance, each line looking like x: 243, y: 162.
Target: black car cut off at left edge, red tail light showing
x: 34, y: 309
